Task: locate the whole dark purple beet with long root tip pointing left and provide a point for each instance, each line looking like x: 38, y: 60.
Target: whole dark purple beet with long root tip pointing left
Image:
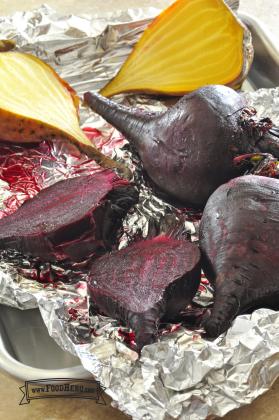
x: 188, y: 150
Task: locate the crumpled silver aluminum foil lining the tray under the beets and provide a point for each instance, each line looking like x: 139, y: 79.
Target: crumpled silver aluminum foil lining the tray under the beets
x: 182, y: 376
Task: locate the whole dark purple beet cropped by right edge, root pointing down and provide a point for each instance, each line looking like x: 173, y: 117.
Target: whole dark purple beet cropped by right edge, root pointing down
x: 239, y: 235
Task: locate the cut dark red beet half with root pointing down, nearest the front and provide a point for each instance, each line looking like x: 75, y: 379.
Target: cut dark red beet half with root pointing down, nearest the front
x: 149, y: 281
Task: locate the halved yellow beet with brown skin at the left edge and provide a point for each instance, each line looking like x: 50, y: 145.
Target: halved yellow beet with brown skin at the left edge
x: 36, y: 104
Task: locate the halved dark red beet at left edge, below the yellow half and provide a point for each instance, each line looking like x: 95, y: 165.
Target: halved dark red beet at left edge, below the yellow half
x: 72, y: 219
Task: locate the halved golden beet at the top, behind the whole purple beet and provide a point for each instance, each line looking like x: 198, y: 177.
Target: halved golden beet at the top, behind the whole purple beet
x: 191, y: 44
